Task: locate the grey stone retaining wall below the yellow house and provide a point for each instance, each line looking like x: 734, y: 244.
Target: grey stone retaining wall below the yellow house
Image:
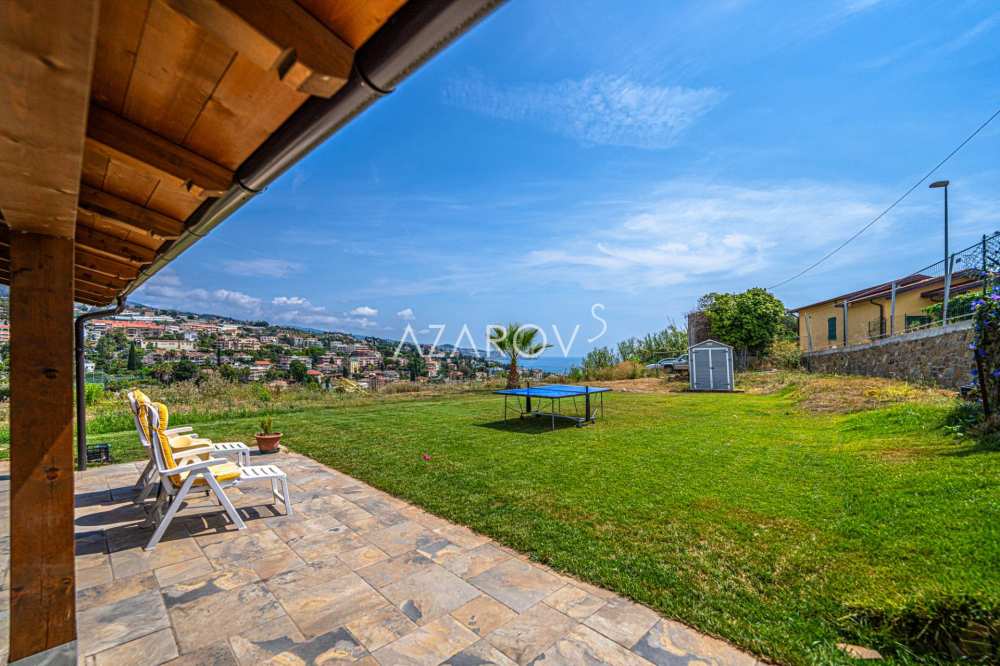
x: 938, y: 356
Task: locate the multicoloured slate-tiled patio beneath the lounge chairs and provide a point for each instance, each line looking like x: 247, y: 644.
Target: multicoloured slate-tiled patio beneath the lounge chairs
x: 354, y: 576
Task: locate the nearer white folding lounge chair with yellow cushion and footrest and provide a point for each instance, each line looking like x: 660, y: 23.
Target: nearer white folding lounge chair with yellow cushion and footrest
x: 179, y: 472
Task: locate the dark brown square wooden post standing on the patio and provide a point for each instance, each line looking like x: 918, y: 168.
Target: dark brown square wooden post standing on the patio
x: 42, y: 576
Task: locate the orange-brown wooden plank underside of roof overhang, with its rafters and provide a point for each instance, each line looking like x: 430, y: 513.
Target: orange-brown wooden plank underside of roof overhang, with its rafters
x: 177, y: 106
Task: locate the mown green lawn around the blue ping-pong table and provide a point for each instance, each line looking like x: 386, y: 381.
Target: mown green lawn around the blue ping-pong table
x: 738, y: 514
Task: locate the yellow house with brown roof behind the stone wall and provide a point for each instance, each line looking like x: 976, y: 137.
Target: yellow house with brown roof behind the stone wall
x: 868, y: 312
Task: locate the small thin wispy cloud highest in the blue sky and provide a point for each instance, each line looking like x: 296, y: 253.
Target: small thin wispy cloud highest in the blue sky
x: 598, y: 109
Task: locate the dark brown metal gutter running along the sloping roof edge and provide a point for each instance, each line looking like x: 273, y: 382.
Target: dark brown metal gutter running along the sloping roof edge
x: 412, y: 36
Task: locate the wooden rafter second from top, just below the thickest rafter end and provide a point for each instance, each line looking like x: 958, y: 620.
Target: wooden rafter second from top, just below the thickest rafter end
x: 119, y: 139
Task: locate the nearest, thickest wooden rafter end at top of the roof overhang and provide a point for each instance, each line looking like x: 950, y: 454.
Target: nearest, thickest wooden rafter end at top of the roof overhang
x: 277, y: 35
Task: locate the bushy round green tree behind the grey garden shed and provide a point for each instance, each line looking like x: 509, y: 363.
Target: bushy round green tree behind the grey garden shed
x: 750, y: 321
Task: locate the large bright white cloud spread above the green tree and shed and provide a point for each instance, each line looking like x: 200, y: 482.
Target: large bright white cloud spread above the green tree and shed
x: 692, y: 232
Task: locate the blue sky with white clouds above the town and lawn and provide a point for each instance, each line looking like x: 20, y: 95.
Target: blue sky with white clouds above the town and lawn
x: 565, y: 154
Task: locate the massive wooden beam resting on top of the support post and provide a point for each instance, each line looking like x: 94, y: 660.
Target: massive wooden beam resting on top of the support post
x: 46, y: 59
